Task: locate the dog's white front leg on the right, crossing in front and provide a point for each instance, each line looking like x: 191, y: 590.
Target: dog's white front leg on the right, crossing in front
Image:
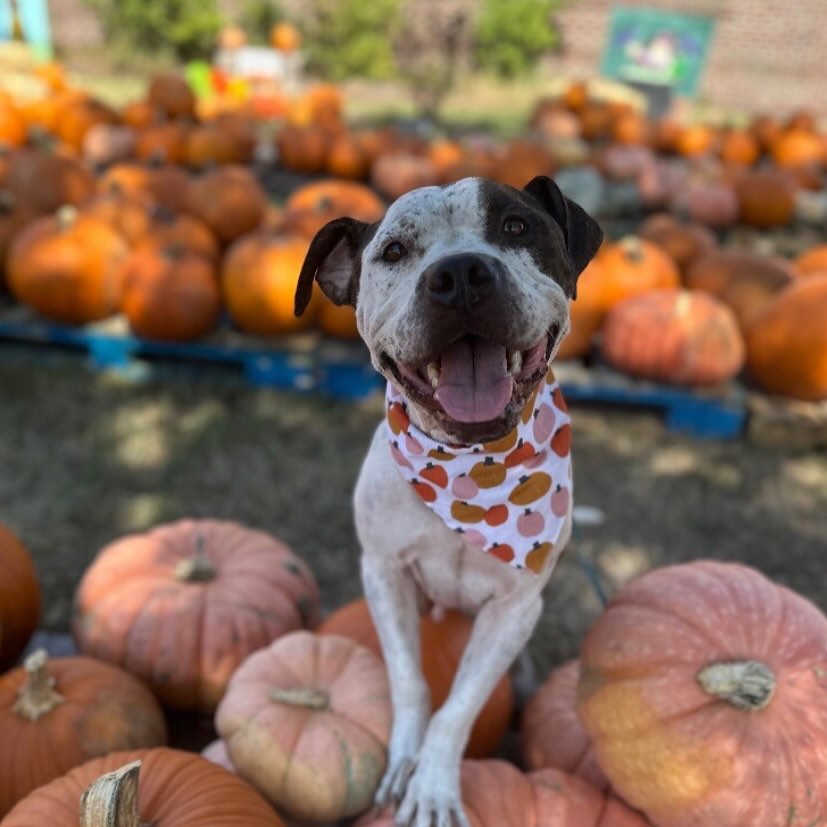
x: 501, y: 630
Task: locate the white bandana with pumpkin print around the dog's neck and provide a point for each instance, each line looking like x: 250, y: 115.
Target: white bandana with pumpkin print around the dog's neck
x: 510, y: 497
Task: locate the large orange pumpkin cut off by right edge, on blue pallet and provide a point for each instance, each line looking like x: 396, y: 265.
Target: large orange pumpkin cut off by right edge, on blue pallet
x: 787, y: 341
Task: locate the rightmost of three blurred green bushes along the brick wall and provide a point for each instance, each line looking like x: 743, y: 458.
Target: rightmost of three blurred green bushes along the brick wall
x: 512, y: 34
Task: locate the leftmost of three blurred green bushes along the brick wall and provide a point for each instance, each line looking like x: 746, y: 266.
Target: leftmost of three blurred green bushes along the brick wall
x: 185, y: 29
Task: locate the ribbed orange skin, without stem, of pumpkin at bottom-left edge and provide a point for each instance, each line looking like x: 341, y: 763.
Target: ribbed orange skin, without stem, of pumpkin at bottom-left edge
x: 175, y: 789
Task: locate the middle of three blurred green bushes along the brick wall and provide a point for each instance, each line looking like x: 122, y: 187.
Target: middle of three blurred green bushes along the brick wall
x: 350, y: 38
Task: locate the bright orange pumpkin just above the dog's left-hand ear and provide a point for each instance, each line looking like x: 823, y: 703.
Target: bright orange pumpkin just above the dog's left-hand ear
x: 311, y: 206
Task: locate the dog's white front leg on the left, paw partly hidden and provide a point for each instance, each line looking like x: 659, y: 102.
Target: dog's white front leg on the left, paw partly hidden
x: 391, y: 594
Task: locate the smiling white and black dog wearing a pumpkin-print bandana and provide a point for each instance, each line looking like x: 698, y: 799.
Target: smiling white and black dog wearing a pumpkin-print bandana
x: 462, y: 297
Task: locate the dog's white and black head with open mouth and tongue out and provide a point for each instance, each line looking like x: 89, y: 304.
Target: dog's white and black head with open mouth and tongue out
x: 461, y: 294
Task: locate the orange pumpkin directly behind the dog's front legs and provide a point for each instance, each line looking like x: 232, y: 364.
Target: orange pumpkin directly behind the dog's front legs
x: 442, y: 643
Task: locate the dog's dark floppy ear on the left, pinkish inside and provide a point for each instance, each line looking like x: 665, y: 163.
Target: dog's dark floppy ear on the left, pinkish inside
x: 333, y: 260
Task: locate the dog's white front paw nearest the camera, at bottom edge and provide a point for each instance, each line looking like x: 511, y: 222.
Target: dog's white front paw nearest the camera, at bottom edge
x: 432, y: 799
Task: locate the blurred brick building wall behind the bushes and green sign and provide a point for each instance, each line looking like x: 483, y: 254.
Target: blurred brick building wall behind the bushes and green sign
x: 764, y: 54
